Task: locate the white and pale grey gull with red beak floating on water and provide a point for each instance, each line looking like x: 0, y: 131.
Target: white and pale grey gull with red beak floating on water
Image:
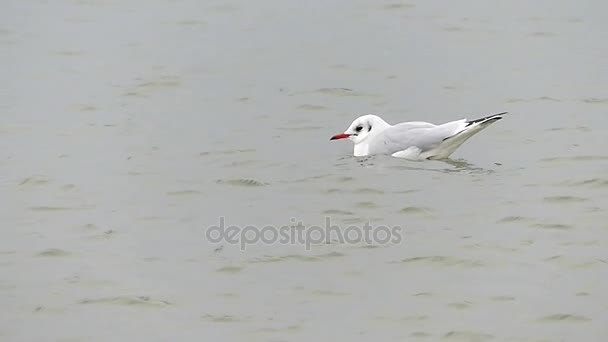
x: 415, y: 140
